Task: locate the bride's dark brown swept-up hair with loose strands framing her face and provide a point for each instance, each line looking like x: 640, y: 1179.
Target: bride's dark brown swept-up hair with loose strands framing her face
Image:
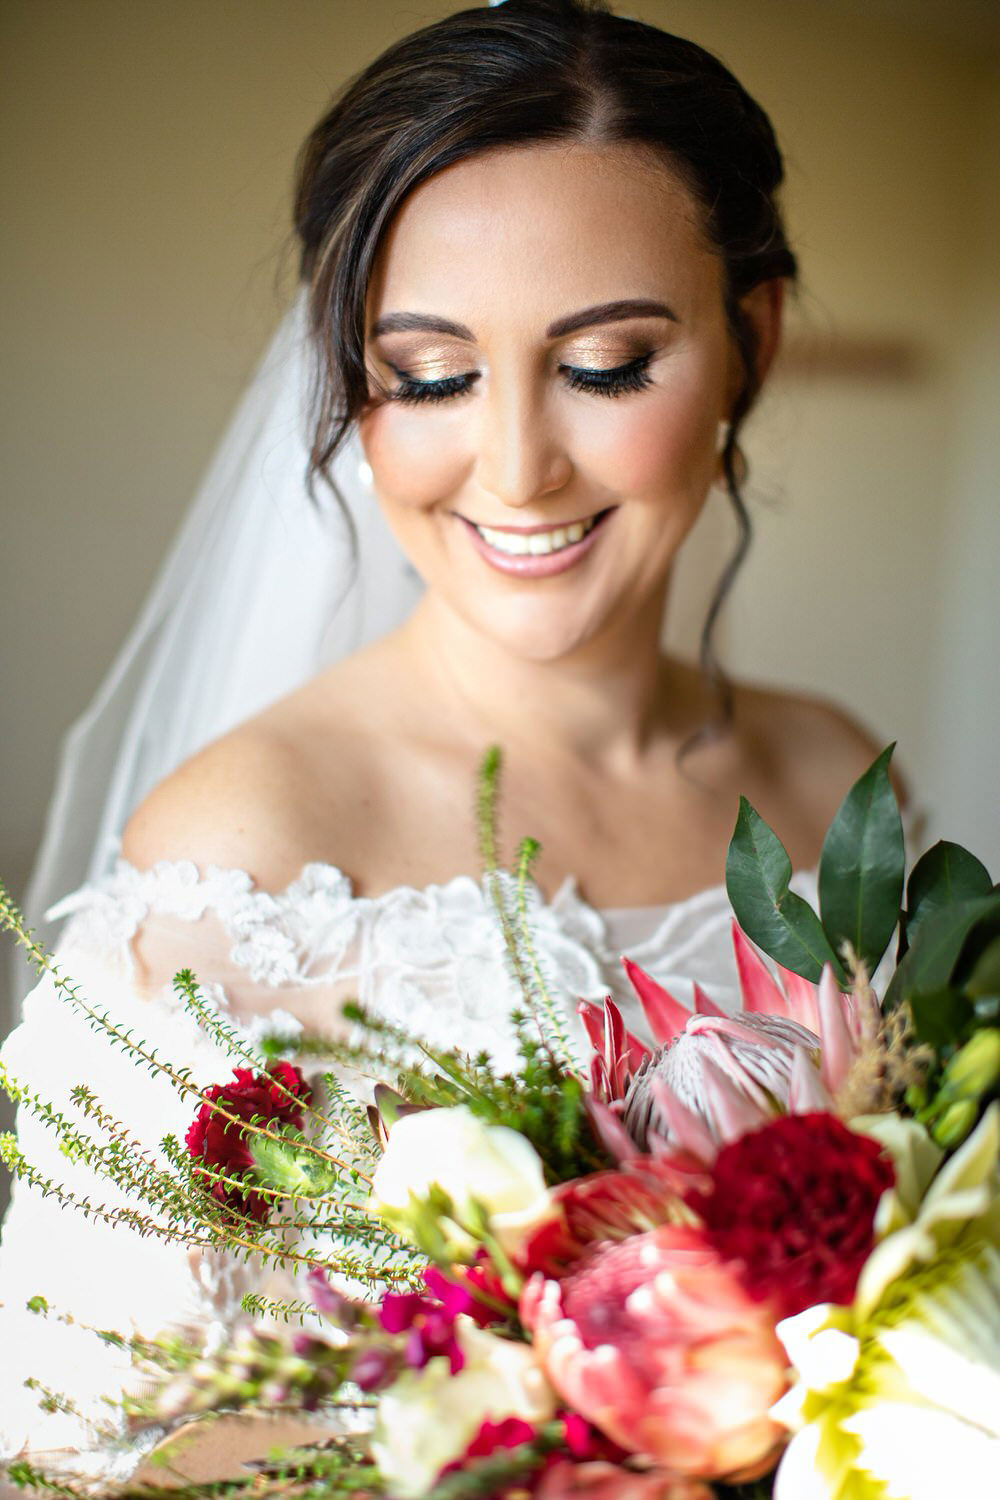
x: 522, y: 73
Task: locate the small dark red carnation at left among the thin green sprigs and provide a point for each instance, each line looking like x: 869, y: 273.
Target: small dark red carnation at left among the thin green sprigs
x: 274, y: 1097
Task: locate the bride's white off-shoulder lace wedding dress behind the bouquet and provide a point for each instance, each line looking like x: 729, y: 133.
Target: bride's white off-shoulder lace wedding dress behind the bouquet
x: 431, y: 961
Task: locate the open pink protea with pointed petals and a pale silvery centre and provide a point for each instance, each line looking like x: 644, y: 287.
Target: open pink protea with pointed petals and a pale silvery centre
x: 713, y: 1076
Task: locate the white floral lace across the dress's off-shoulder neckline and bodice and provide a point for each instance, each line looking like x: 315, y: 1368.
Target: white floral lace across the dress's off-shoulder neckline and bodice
x: 428, y: 959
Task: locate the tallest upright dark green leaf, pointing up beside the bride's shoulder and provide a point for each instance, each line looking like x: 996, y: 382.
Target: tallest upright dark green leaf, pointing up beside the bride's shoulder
x: 863, y: 866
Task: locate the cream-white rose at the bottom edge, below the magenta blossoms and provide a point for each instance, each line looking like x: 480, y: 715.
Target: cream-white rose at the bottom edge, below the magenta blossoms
x: 428, y: 1418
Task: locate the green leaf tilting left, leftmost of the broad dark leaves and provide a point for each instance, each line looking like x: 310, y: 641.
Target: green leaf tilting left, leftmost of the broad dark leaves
x: 758, y: 874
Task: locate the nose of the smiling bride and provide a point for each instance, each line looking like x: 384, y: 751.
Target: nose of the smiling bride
x: 521, y: 457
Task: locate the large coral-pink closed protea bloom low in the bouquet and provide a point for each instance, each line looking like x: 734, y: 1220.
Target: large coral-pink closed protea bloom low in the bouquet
x: 656, y: 1342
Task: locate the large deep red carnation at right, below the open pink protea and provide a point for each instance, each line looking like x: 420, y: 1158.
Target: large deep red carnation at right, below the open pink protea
x: 795, y: 1204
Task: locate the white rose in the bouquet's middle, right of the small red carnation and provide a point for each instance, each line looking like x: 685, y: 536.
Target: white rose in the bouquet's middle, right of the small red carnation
x: 472, y: 1162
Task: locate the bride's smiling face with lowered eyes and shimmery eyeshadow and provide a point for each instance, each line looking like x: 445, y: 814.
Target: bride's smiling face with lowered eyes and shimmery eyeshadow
x: 548, y: 323
